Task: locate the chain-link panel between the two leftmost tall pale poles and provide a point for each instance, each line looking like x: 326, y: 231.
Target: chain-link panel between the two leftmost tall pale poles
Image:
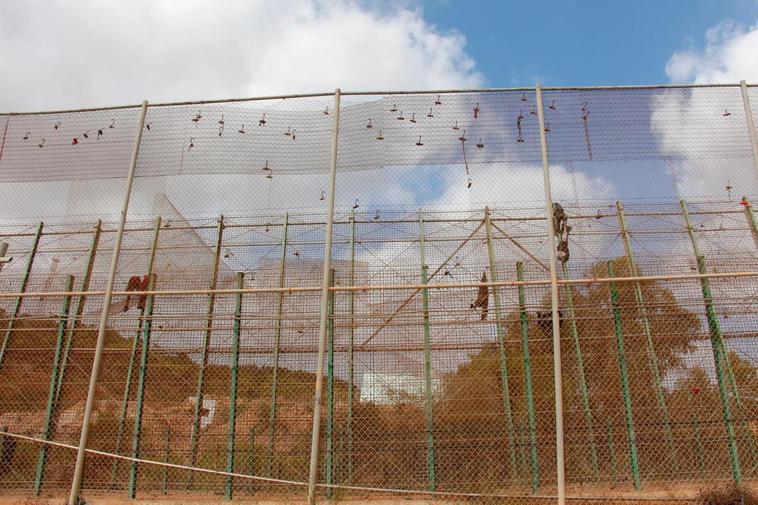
x: 205, y: 384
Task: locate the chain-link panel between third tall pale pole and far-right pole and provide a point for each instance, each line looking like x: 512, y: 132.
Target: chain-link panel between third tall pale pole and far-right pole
x: 680, y: 165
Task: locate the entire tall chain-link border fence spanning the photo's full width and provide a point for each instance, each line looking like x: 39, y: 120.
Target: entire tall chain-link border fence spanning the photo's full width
x: 532, y: 294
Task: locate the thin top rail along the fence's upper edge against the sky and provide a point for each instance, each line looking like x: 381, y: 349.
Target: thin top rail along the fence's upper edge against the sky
x: 386, y: 92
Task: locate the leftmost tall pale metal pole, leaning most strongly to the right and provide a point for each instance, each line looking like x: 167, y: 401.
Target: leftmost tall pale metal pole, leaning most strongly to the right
x: 79, y: 466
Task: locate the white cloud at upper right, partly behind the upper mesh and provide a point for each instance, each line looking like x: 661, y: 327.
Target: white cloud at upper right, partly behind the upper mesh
x: 704, y: 131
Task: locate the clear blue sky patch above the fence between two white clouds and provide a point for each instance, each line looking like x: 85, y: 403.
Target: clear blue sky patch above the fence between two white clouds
x: 582, y: 42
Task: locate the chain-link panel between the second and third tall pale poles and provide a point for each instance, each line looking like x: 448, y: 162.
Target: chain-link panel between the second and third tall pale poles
x: 449, y: 399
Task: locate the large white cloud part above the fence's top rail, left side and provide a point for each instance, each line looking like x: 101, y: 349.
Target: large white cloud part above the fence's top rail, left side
x: 92, y: 53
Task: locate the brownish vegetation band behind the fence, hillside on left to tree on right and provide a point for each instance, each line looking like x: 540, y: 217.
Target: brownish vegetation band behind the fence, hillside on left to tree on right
x: 389, y: 441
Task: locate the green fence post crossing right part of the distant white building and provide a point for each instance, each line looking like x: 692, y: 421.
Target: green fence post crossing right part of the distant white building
x: 428, y: 393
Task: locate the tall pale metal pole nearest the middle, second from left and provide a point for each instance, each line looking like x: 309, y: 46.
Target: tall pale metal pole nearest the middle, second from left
x: 323, y: 313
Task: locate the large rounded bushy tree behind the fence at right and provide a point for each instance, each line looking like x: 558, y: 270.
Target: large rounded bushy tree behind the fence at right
x: 473, y: 405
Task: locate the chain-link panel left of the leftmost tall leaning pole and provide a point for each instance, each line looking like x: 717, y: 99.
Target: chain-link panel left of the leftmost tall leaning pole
x: 66, y: 173
